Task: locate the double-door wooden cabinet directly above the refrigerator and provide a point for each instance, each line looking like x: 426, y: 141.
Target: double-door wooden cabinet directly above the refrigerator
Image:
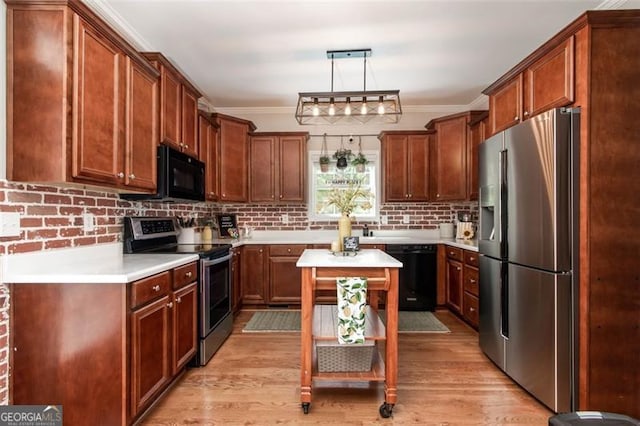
x: 546, y: 82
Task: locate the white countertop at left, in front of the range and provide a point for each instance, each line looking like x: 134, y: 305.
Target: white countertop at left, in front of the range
x: 98, y: 264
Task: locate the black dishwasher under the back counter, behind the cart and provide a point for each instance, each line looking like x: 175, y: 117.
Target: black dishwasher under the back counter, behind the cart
x: 418, y: 275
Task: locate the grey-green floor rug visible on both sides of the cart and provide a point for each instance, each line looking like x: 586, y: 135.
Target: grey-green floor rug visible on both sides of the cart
x: 278, y: 321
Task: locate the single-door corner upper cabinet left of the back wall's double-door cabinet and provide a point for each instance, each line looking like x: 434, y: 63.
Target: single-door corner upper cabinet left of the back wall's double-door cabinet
x: 233, y: 163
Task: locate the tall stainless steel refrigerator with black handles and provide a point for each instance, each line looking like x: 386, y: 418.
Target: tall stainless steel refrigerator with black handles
x: 527, y: 240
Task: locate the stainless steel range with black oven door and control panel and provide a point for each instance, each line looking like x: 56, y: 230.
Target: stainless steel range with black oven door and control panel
x: 159, y: 235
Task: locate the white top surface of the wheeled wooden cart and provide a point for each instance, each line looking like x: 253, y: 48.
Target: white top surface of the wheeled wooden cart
x: 368, y: 258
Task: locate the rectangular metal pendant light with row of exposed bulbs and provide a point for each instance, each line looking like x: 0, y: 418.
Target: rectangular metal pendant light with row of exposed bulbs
x: 349, y: 107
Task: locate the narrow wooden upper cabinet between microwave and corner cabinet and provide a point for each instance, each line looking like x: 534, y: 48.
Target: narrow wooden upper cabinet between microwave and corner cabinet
x: 208, y: 149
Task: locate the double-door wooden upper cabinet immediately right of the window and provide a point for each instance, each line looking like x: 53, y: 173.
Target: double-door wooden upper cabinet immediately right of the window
x: 405, y: 159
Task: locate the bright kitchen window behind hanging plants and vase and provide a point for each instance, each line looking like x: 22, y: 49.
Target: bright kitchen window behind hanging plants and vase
x: 321, y: 183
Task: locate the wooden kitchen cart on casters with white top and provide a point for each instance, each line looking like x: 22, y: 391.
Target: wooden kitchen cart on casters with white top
x: 320, y: 268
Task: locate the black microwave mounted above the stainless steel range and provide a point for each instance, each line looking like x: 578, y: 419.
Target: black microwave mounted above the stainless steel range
x: 180, y: 178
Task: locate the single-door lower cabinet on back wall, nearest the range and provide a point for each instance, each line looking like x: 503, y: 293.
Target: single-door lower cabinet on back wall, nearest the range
x: 255, y: 285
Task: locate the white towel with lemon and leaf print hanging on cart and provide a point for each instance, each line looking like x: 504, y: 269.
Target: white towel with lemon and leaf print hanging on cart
x: 352, y: 304
